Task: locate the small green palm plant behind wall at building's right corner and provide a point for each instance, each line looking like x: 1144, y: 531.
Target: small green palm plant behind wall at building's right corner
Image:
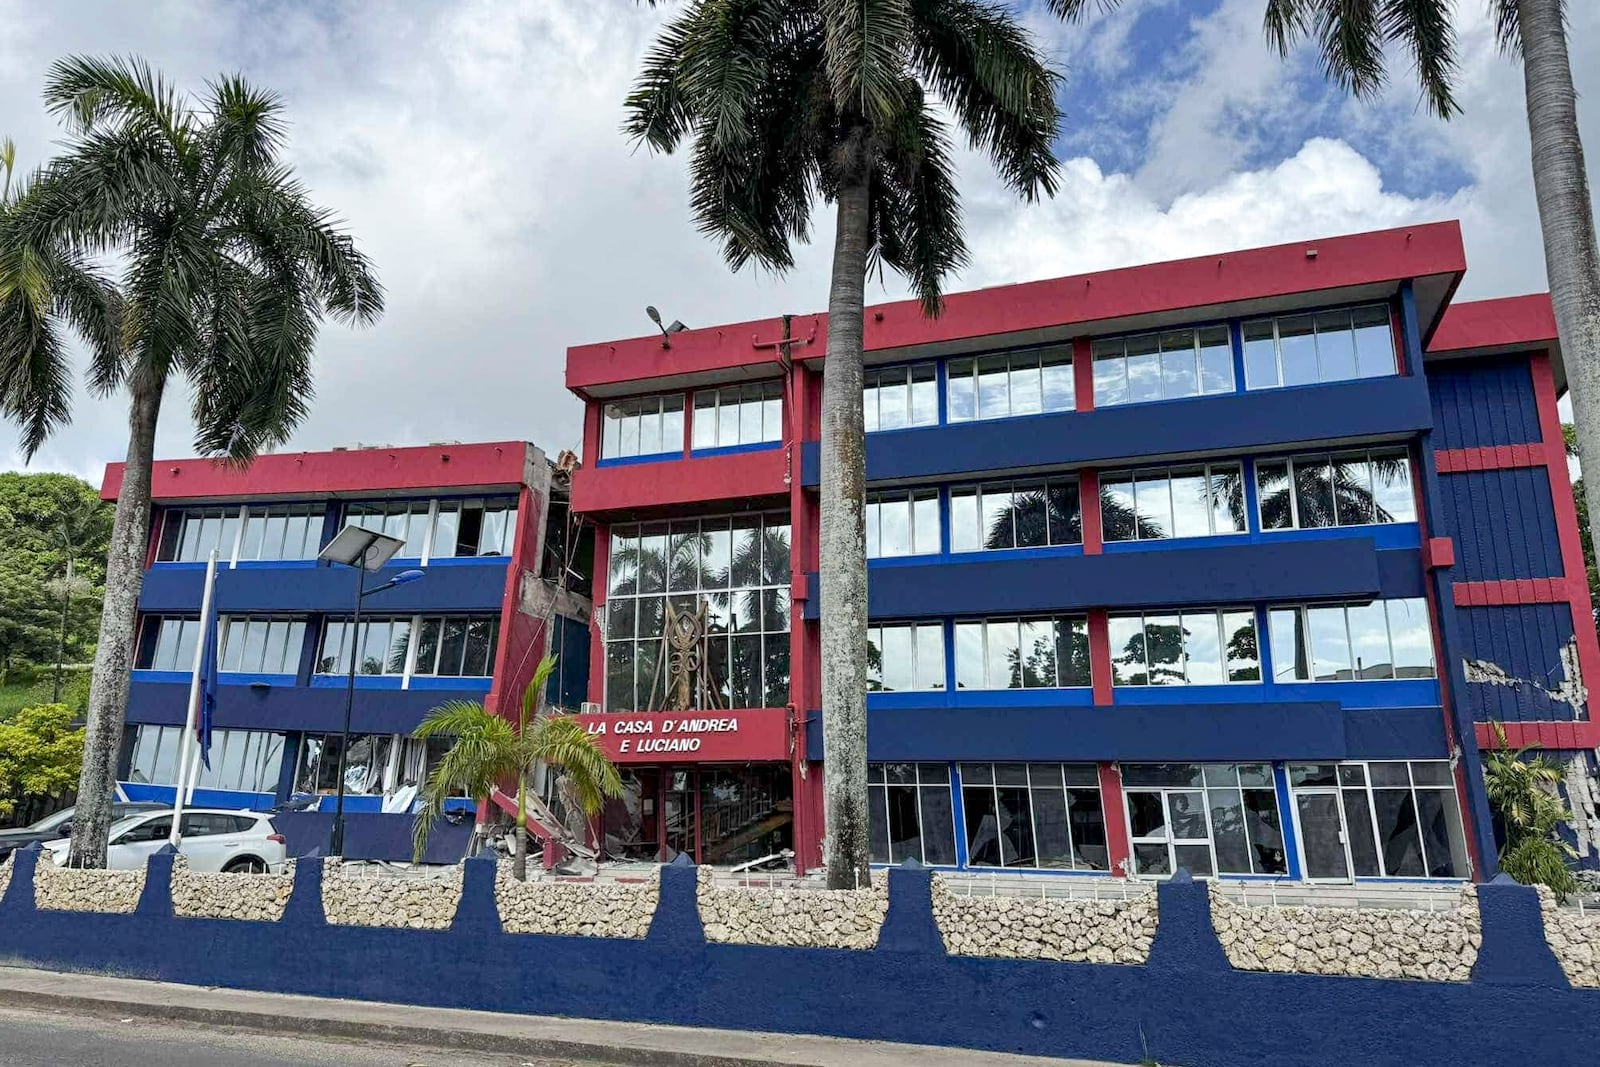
x: 1522, y: 793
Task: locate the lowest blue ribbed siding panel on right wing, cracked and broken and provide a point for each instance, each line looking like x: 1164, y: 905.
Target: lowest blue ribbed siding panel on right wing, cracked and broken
x: 1526, y: 642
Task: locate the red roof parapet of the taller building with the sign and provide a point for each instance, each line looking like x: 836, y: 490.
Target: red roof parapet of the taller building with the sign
x: 1382, y: 258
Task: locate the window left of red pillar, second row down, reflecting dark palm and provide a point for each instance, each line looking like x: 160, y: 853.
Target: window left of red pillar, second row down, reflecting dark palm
x: 1015, y: 516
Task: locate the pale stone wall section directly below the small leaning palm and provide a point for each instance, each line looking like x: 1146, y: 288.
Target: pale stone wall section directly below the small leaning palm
x: 575, y: 909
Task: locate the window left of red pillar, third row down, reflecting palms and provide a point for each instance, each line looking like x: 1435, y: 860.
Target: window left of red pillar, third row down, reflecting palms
x: 1023, y: 653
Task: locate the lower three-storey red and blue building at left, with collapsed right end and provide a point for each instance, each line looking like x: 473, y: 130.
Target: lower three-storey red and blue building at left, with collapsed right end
x: 503, y: 569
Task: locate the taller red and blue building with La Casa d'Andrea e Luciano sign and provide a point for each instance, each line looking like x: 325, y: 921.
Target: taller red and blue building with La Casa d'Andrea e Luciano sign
x: 1222, y: 564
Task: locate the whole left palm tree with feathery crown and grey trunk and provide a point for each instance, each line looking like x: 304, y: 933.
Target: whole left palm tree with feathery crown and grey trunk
x: 228, y: 271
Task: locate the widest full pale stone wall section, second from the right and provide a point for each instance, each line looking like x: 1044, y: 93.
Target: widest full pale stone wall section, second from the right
x: 1367, y: 943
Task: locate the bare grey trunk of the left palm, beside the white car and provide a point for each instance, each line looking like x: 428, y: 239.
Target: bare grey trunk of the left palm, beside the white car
x: 114, y: 655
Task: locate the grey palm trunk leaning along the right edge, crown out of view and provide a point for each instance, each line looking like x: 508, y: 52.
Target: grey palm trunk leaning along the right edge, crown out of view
x: 1572, y: 262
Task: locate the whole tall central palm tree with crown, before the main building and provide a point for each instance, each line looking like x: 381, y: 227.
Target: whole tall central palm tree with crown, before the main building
x: 790, y: 100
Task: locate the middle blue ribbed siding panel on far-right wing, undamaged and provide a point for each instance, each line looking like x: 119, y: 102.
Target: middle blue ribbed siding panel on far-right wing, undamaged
x: 1503, y: 524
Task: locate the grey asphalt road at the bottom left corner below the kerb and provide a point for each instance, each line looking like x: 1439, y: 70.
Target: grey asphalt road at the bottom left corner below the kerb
x: 31, y: 1039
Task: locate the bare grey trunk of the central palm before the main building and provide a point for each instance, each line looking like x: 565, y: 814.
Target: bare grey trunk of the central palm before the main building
x: 844, y: 551
